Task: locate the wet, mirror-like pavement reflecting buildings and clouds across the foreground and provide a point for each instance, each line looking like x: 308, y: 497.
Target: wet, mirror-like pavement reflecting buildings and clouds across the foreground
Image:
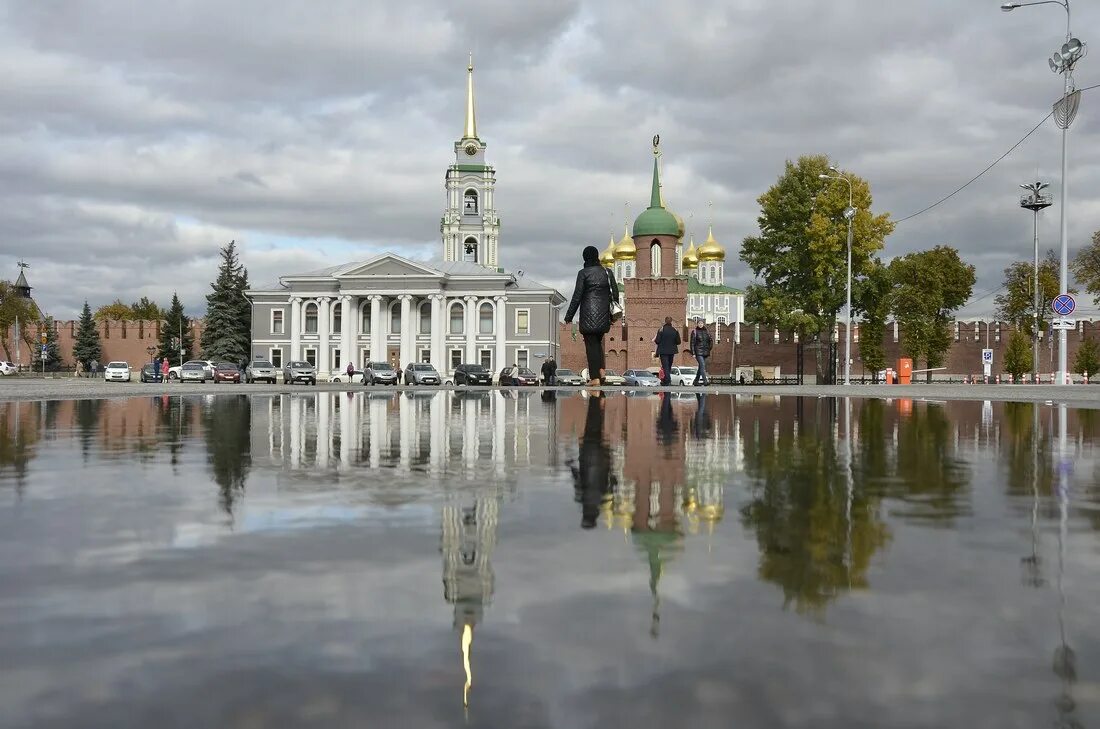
x: 531, y: 559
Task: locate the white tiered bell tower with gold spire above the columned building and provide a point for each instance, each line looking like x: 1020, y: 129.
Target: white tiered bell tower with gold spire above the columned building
x: 470, y: 227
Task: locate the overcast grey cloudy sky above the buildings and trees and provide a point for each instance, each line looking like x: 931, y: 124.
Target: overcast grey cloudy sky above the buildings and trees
x: 139, y: 138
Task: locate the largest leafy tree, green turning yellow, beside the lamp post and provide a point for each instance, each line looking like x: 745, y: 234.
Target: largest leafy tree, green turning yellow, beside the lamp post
x: 801, y: 253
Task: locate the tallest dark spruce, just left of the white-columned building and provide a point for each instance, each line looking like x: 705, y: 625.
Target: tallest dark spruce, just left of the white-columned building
x: 228, y: 333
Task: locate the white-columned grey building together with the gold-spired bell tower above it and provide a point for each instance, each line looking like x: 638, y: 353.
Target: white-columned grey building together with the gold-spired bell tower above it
x: 463, y: 308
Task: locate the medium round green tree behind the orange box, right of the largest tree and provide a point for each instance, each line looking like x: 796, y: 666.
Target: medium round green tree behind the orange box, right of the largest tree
x: 930, y: 286
